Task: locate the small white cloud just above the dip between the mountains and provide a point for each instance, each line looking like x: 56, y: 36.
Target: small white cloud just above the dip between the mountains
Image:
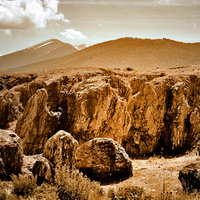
x: 73, y: 34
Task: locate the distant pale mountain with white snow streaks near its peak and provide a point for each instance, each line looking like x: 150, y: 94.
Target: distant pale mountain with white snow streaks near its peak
x: 43, y: 51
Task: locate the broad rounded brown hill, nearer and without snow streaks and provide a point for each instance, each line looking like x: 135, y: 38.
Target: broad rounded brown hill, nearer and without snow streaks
x: 126, y: 53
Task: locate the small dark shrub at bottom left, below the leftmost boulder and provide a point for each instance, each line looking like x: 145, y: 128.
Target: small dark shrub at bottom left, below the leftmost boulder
x: 23, y: 185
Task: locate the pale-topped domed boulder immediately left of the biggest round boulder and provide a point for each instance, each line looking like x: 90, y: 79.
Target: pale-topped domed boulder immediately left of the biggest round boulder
x: 60, y: 149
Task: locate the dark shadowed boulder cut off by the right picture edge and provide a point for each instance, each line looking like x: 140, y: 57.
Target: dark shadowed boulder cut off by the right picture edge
x: 189, y: 177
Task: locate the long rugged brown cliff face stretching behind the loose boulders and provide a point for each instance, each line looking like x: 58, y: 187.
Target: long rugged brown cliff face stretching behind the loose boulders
x: 144, y: 113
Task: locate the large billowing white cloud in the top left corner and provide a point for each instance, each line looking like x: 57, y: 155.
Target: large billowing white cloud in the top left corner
x: 25, y: 14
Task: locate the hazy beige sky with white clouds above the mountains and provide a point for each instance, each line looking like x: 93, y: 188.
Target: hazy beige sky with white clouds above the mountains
x: 24, y: 23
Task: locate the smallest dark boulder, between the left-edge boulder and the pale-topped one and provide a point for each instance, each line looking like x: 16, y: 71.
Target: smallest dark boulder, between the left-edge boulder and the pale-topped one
x: 43, y: 169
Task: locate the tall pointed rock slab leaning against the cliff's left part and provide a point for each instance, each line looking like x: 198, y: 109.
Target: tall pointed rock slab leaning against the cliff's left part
x: 37, y: 123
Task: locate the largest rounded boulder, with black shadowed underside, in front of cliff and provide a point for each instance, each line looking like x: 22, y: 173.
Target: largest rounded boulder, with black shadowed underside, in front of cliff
x: 103, y: 160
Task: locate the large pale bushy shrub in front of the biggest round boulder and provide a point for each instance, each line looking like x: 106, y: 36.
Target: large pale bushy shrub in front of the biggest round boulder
x: 74, y: 185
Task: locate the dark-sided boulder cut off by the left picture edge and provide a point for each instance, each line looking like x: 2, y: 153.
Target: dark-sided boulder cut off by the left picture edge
x: 11, y: 154
